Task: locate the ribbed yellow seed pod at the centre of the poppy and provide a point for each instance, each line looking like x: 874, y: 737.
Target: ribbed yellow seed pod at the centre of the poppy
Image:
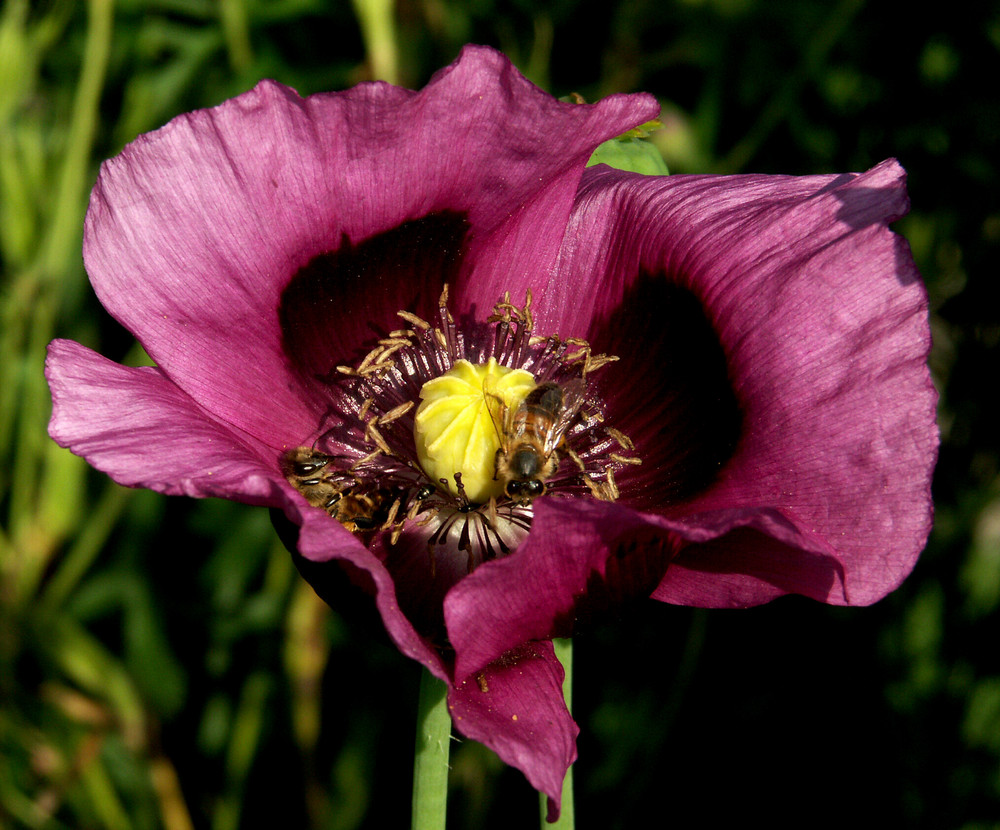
x: 454, y: 430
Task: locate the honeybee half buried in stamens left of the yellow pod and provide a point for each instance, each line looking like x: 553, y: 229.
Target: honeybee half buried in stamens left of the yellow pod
x: 309, y: 471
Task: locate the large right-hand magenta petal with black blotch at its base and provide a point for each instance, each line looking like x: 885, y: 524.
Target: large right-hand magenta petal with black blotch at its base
x: 820, y: 324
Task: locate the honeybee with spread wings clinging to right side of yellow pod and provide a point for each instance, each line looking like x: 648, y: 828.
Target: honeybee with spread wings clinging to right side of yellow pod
x: 530, y: 435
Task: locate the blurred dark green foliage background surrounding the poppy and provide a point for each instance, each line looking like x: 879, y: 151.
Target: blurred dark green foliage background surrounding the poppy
x: 161, y: 664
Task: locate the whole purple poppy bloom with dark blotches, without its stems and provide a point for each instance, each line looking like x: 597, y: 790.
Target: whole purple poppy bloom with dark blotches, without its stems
x: 307, y: 272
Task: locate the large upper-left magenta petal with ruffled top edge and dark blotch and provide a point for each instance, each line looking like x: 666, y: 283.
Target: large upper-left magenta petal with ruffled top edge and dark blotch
x: 195, y: 231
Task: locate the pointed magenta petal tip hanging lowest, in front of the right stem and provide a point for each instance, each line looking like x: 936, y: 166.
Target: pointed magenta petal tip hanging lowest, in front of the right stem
x: 515, y: 706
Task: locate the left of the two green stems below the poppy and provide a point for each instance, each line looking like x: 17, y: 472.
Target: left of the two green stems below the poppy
x: 430, y: 761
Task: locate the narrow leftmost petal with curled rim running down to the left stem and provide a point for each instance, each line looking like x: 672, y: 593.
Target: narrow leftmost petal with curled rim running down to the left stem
x: 136, y: 426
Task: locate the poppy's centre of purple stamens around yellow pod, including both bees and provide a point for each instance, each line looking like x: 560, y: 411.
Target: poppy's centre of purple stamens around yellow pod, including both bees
x: 449, y: 436
